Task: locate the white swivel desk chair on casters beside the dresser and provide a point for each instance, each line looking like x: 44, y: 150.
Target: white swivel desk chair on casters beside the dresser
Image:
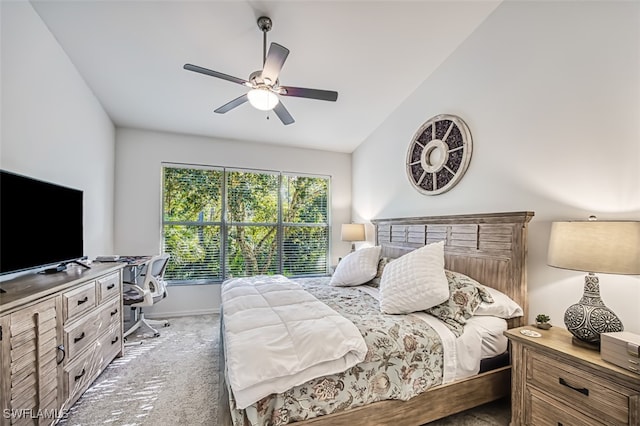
x: 152, y: 290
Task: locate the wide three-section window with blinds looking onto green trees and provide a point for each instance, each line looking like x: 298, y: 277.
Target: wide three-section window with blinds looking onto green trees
x: 220, y: 223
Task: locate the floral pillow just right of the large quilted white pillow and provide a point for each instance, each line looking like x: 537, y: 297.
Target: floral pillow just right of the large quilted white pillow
x: 465, y: 295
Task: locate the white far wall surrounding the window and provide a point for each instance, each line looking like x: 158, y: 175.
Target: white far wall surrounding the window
x: 139, y: 155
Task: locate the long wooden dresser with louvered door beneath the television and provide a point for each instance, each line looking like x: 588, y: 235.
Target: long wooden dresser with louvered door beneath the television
x: 57, y: 333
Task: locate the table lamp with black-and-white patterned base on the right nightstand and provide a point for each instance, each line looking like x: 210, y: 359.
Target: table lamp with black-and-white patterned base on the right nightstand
x: 611, y: 247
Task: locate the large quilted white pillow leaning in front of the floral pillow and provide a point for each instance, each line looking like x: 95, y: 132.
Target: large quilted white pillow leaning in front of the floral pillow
x: 415, y: 281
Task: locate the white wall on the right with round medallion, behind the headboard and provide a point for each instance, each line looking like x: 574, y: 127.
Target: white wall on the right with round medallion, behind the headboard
x: 551, y: 94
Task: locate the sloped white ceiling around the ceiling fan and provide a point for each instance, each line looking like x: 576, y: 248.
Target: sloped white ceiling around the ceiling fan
x: 373, y: 53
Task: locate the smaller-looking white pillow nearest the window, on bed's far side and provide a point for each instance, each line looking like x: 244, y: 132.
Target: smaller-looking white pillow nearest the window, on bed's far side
x: 357, y: 267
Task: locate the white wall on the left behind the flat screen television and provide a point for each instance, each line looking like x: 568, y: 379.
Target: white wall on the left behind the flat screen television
x: 52, y: 126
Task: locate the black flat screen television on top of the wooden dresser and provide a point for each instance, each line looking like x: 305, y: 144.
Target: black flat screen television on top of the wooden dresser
x: 40, y: 224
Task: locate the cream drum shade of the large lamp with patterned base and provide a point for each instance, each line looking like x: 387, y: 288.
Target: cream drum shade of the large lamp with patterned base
x: 611, y: 247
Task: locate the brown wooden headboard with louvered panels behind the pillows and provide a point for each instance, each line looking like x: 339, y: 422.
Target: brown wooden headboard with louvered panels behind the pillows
x: 490, y: 248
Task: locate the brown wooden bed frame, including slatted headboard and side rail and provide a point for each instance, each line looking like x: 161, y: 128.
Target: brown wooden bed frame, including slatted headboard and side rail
x: 491, y: 248
